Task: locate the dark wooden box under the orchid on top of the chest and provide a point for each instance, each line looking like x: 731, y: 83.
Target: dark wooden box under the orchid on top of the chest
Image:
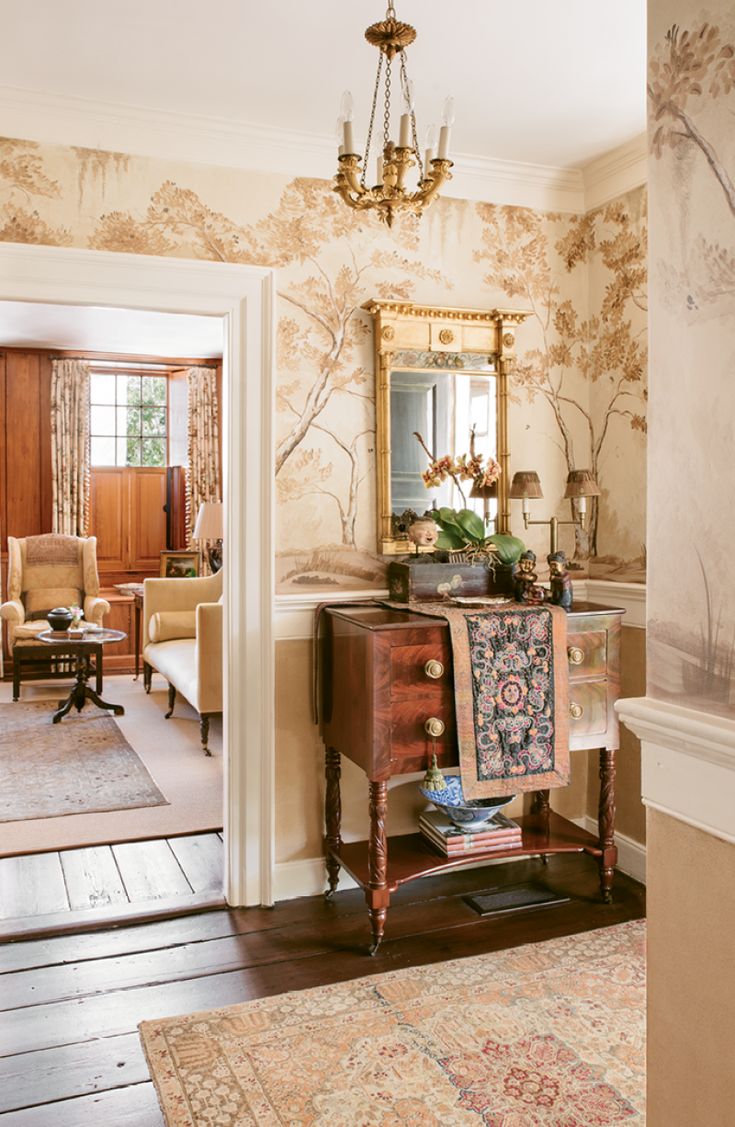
x: 420, y: 580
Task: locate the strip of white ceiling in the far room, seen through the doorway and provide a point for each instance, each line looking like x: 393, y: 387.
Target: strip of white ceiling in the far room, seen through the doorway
x: 128, y: 332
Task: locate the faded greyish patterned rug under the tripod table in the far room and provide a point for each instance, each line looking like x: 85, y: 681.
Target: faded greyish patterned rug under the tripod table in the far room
x: 82, y: 766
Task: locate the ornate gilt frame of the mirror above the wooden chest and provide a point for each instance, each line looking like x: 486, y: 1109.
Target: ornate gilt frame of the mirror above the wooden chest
x: 445, y: 334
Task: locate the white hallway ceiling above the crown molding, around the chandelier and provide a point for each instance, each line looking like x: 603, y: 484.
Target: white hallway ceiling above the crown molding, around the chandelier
x: 538, y: 83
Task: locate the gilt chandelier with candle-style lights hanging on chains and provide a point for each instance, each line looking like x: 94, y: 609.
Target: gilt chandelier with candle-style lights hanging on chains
x: 389, y: 194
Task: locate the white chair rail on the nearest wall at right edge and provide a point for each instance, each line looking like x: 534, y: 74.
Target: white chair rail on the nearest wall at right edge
x: 688, y: 764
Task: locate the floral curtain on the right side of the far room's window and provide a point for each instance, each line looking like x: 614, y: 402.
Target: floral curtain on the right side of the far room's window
x: 203, y: 469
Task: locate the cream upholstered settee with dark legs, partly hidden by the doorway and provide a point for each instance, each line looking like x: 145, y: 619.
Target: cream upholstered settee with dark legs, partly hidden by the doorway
x: 183, y: 642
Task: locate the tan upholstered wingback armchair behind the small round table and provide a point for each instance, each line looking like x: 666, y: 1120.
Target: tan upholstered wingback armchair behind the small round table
x: 48, y: 572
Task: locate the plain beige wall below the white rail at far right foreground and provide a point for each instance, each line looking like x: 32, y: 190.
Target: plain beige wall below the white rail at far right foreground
x: 692, y: 988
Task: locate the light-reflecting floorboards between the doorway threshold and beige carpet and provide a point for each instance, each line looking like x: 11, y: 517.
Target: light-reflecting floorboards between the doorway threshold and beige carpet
x: 103, y: 884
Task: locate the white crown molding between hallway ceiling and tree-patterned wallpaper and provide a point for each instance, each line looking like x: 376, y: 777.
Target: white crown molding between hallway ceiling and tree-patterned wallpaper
x: 55, y: 119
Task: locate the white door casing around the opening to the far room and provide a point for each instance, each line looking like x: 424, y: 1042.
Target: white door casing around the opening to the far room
x: 243, y: 296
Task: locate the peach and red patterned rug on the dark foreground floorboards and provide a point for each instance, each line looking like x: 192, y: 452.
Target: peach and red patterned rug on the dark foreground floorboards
x: 550, y: 1034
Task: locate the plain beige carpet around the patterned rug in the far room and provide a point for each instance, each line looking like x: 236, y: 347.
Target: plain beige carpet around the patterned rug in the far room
x: 171, y: 752
